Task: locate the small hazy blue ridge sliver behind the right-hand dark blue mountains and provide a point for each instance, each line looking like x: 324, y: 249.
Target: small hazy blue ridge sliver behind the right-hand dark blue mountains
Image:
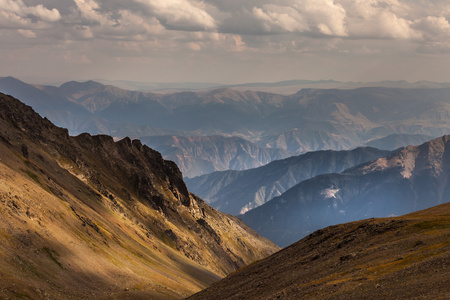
x: 395, y: 141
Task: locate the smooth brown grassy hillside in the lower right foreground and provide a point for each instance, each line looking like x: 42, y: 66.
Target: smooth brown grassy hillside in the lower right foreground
x: 391, y: 258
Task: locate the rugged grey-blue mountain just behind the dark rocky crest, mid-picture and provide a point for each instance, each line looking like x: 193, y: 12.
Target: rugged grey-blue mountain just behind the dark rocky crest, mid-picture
x: 198, y: 155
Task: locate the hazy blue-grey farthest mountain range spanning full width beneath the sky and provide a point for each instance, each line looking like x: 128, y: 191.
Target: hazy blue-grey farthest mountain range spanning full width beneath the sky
x: 309, y: 120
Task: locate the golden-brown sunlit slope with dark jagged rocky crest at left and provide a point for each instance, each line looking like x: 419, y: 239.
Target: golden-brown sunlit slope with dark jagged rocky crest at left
x: 87, y: 217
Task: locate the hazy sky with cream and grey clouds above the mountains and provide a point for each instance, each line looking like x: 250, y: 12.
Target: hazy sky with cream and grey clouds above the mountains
x: 225, y: 41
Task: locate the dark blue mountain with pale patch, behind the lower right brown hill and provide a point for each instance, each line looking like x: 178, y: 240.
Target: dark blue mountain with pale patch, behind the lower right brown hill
x: 414, y: 178
